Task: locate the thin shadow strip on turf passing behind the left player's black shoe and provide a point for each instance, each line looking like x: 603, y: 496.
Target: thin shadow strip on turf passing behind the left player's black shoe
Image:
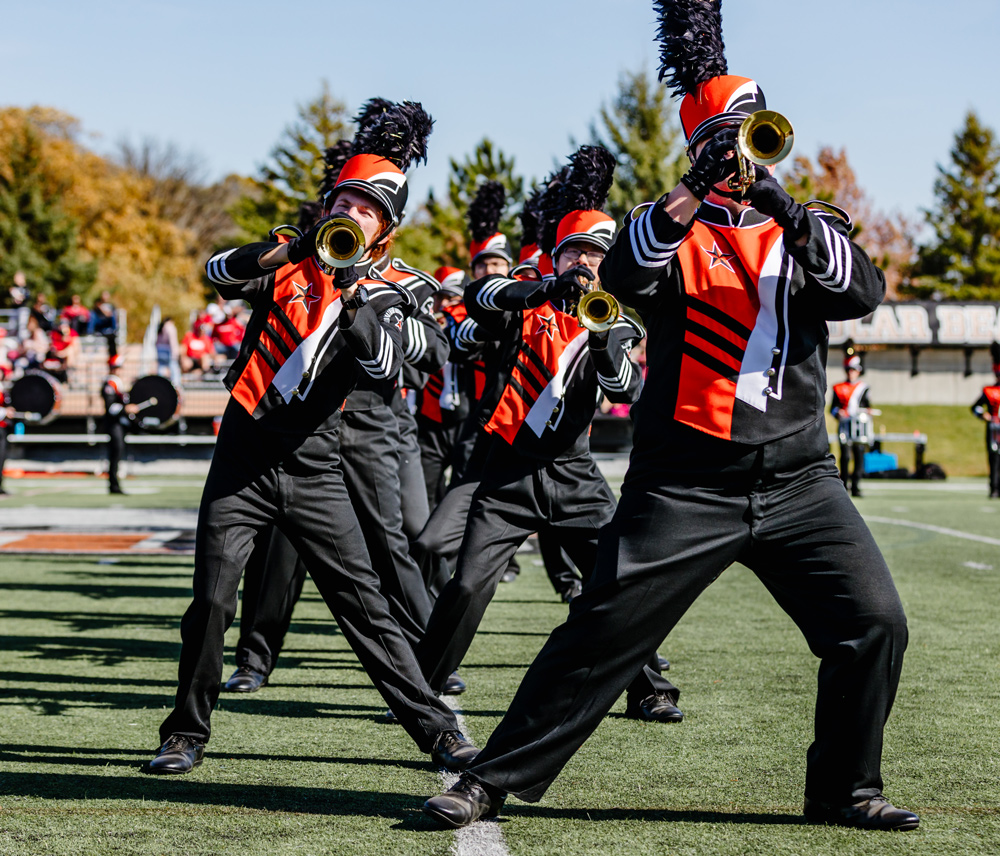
x: 71, y: 756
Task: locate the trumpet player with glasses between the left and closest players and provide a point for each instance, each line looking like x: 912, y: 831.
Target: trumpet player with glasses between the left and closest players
x: 538, y: 472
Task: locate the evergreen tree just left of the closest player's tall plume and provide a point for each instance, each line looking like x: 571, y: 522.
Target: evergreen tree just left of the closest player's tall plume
x: 639, y: 129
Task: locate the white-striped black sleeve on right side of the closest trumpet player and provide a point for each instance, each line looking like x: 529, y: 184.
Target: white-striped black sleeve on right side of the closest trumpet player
x: 843, y: 281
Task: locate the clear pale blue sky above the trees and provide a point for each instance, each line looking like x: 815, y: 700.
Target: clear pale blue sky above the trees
x: 890, y: 82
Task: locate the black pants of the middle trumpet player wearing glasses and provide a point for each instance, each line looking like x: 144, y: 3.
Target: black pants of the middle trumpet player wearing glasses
x: 515, y: 498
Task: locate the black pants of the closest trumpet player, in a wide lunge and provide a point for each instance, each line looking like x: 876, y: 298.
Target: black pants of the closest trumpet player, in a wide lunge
x: 793, y: 525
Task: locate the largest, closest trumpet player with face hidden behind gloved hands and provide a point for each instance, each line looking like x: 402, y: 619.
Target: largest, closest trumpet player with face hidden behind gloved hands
x: 730, y: 463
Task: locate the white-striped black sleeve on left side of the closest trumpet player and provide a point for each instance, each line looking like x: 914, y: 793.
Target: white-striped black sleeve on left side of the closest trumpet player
x: 641, y: 255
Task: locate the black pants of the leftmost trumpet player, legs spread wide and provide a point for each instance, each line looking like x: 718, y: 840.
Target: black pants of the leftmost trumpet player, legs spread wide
x: 258, y: 478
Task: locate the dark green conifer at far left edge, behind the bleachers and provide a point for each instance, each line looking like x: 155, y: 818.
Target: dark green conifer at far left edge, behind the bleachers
x: 37, y: 236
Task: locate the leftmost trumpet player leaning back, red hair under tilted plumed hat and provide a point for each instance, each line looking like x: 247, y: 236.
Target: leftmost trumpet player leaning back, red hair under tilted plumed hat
x: 311, y: 336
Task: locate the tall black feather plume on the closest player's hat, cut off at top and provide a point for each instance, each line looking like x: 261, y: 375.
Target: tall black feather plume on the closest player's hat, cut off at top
x: 691, y: 46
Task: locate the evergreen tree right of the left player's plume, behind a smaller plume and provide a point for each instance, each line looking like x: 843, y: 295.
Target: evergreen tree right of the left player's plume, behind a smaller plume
x: 438, y: 233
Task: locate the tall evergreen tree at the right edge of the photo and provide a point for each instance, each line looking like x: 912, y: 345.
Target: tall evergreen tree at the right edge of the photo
x: 963, y: 260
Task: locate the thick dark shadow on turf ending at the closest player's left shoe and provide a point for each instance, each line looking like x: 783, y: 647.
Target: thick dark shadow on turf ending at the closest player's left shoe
x: 188, y: 790
